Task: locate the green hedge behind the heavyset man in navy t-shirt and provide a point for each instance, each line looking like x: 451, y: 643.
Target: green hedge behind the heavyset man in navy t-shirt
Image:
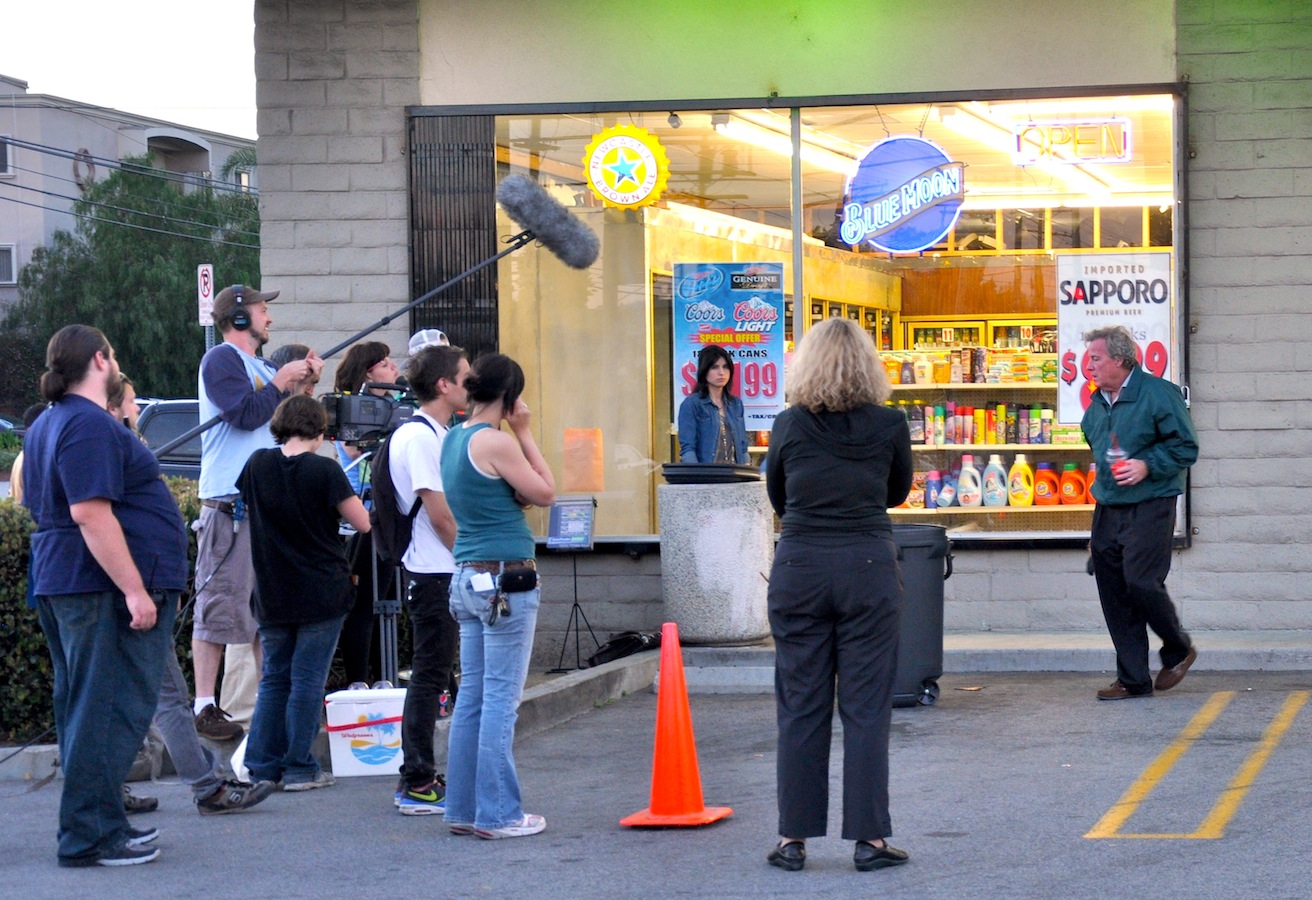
x: 26, y: 674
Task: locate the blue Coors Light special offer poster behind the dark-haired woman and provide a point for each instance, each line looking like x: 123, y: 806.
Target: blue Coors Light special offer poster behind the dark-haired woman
x: 738, y: 306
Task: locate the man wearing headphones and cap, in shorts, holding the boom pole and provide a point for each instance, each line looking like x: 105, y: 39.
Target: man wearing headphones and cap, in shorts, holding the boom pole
x: 242, y: 390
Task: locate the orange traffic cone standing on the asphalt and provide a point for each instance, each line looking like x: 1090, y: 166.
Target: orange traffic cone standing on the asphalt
x: 676, y: 781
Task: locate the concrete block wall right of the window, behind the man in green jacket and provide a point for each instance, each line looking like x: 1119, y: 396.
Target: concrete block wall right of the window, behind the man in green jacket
x: 1250, y: 72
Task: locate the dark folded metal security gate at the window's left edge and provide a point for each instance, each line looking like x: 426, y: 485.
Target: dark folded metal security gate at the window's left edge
x: 453, y: 226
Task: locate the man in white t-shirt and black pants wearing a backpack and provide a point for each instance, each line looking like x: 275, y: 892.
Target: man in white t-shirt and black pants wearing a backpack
x: 438, y: 377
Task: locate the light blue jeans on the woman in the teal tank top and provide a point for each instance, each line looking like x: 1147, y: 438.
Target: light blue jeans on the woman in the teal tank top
x: 482, y: 787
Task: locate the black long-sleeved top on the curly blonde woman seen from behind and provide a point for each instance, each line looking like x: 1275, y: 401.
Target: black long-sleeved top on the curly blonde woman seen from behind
x: 838, y: 473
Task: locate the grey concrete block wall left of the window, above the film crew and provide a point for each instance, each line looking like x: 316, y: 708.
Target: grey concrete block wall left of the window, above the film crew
x: 334, y: 81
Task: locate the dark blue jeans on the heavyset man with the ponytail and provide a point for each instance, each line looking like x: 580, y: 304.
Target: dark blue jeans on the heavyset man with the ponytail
x: 107, y: 684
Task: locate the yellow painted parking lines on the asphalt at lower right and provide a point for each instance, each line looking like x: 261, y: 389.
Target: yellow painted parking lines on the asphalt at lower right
x: 1220, y: 817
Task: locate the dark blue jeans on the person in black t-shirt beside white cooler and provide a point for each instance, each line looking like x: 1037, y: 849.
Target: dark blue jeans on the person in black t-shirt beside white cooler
x: 291, y: 704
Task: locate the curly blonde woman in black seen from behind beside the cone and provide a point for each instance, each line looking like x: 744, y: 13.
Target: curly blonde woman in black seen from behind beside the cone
x: 839, y: 459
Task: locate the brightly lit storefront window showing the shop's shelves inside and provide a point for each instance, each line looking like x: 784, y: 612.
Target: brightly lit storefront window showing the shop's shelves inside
x: 973, y: 309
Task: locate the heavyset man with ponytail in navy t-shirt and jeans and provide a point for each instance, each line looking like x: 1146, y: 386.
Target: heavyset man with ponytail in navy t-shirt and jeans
x: 108, y: 565
